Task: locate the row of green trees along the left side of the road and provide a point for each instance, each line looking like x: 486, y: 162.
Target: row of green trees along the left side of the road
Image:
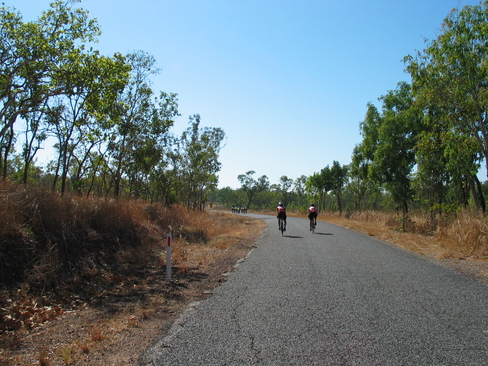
x: 112, y: 131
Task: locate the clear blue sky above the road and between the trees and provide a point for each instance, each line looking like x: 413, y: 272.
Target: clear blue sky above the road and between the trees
x: 288, y: 81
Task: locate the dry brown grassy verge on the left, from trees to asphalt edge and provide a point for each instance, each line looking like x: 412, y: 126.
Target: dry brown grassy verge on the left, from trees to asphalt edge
x: 114, y: 252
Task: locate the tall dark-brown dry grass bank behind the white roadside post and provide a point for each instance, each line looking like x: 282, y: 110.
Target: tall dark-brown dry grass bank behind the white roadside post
x: 45, y: 236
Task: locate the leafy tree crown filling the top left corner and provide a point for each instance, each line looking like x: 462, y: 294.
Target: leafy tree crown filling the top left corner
x: 34, y: 57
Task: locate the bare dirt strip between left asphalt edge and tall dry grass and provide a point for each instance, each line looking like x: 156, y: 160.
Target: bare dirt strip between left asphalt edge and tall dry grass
x: 120, y: 324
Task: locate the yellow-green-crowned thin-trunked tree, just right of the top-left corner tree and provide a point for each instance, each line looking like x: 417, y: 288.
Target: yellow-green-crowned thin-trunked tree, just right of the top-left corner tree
x: 81, y: 117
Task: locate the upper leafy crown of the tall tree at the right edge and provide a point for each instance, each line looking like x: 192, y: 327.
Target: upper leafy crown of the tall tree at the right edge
x: 451, y: 73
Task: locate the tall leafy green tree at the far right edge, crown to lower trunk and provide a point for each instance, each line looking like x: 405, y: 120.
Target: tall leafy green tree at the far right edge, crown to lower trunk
x: 449, y: 80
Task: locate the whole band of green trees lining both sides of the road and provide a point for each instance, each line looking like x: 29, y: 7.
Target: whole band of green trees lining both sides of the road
x: 421, y: 149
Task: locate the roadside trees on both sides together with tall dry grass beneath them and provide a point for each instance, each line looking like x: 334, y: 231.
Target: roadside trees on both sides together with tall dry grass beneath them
x: 121, y: 179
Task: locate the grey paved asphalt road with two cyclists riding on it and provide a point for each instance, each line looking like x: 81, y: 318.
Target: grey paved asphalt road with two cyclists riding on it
x: 335, y: 297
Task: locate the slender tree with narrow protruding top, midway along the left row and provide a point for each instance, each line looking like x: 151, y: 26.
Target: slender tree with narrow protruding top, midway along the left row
x: 139, y: 138
